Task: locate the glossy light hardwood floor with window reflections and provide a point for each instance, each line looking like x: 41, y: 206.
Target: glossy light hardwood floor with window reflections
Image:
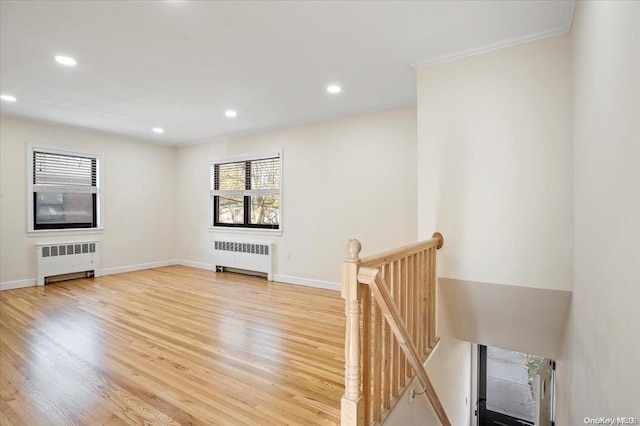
x: 171, y: 345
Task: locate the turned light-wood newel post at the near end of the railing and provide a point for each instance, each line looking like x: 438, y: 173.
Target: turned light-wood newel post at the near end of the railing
x: 352, y: 407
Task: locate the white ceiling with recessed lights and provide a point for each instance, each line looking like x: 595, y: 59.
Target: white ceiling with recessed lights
x: 180, y: 64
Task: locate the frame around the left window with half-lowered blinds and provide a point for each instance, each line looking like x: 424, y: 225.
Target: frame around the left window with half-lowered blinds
x: 98, y: 211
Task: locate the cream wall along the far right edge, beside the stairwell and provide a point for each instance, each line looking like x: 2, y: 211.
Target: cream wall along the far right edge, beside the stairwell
x: 600, y: 373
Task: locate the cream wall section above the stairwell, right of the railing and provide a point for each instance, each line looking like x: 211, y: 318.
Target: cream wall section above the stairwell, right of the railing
x: 495, y: 164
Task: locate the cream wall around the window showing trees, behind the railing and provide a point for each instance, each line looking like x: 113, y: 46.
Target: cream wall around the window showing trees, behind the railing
x: 348, y: 178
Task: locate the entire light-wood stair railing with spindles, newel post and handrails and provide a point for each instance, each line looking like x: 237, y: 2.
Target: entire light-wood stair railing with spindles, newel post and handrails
x: 390, y: 330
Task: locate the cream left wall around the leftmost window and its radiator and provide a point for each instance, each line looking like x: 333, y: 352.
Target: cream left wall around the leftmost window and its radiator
x: 139, y: 188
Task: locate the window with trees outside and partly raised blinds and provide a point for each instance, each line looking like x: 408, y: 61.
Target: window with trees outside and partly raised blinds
x: 246, y: 193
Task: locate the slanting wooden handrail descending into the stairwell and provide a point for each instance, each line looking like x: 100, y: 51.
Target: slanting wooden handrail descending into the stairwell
x: 372, y: 277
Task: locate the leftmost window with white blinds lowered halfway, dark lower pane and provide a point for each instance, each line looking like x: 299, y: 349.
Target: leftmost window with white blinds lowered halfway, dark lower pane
x: 65, y: 190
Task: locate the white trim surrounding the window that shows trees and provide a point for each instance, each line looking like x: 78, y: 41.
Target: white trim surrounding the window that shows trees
x: 246, y: 157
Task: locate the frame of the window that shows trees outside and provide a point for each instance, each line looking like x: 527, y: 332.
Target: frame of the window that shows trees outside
x: 246, y: 226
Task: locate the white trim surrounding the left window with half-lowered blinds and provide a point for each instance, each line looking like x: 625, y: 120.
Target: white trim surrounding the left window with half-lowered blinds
x: 100, y: 189
